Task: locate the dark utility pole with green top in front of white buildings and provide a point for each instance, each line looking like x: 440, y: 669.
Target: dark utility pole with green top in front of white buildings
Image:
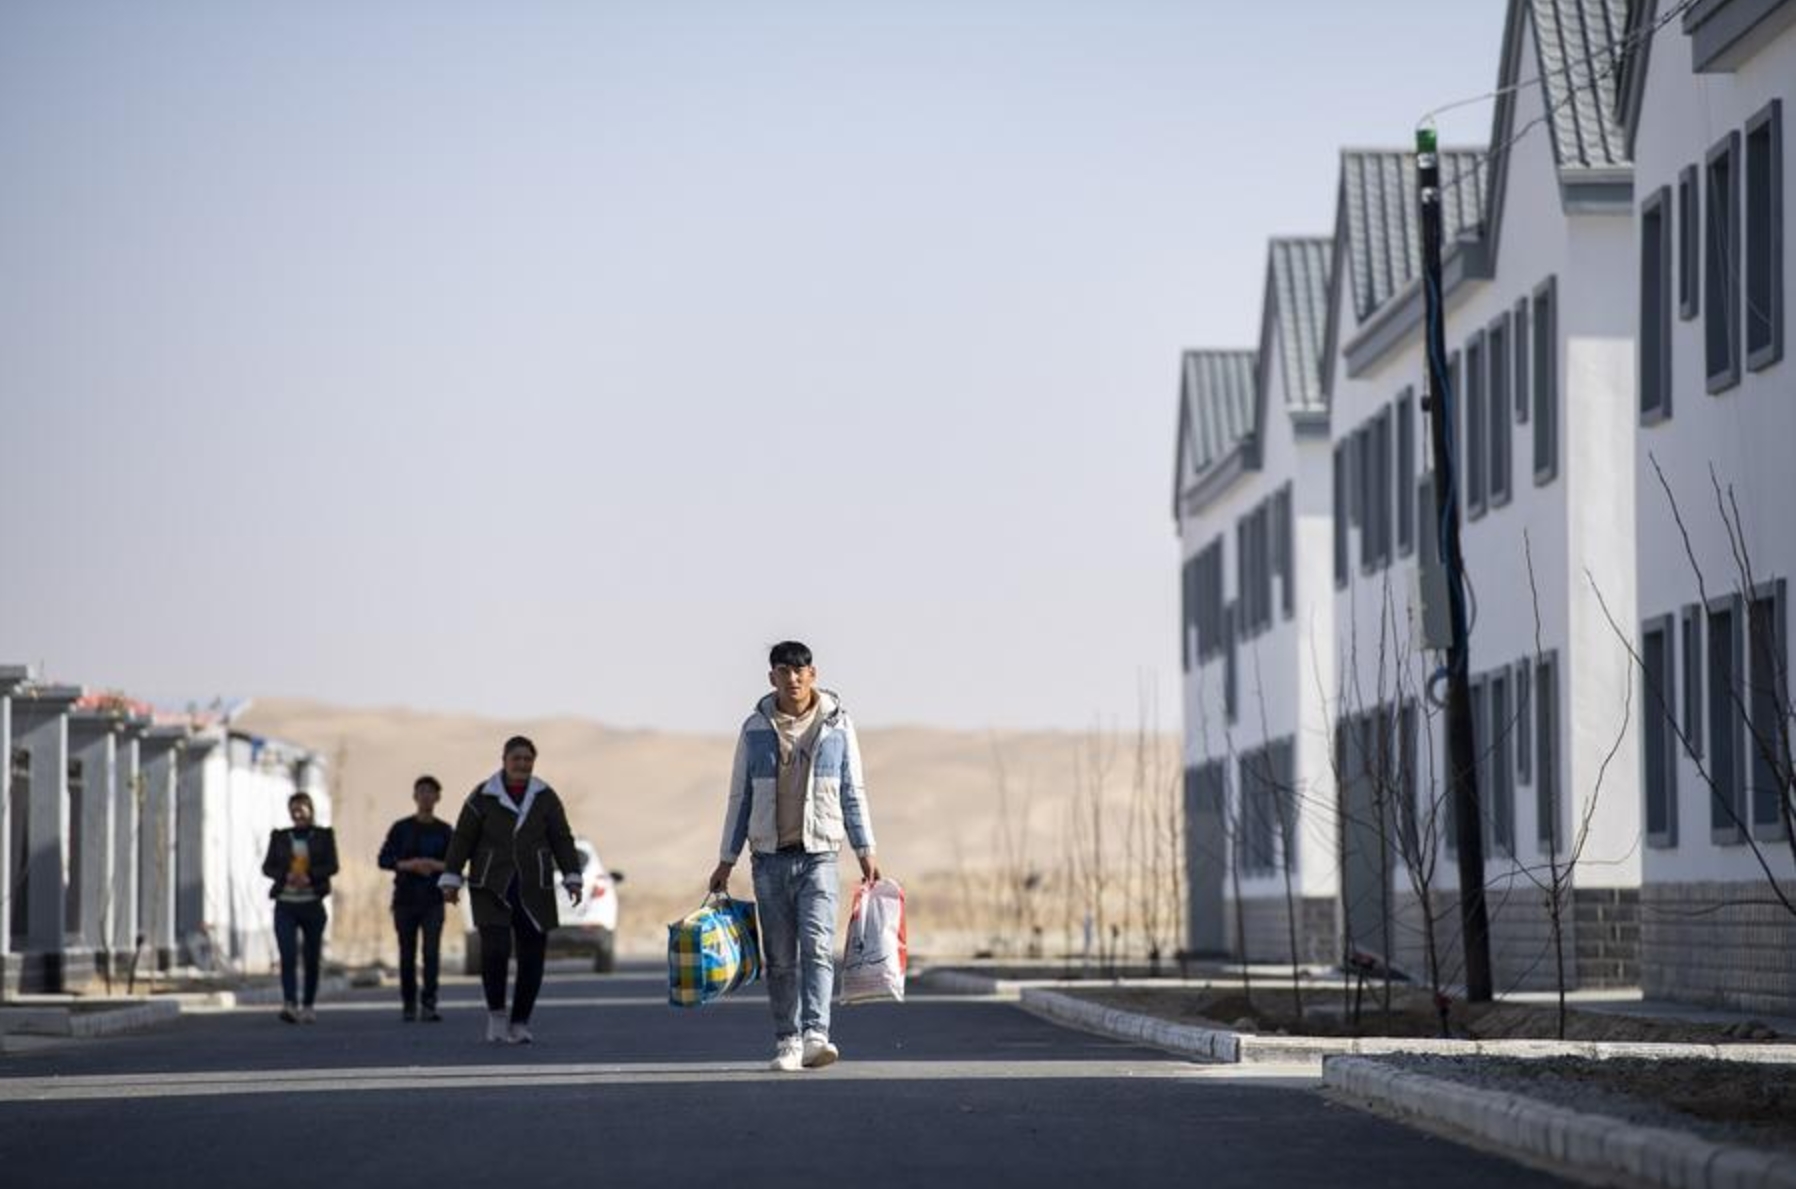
x: 1463, y: 750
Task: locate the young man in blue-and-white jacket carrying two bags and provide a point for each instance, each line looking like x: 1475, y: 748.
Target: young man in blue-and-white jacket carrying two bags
x: 795, y: 793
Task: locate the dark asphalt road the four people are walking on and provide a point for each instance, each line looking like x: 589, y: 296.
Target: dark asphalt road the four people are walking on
x: 626, y: 1091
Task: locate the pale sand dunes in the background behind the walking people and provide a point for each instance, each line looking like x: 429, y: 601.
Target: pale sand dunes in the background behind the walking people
x: 653, y: 806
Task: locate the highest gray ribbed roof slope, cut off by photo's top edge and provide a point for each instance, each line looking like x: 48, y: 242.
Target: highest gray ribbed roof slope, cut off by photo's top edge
x: 1580, y: 48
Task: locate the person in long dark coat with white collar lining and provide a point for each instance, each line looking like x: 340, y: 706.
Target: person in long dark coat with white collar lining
x: 513, y: 836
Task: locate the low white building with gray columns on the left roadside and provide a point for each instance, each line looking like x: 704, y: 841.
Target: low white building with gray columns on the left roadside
x: 132, y: 845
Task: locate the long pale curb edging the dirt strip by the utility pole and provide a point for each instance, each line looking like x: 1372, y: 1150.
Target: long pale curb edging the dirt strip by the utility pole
x: 1219, y: 1044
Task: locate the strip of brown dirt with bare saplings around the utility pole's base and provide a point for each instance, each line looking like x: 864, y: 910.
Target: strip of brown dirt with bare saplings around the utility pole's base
x: 1413, y: 1014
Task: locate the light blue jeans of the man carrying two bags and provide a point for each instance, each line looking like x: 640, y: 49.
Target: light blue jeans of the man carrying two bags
x: 797, y: 894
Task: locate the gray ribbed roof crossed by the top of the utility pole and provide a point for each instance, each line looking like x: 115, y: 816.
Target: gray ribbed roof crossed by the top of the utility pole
x: 1382, y: 224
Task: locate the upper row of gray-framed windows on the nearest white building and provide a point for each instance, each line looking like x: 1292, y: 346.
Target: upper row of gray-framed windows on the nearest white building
x: 1739, y: 188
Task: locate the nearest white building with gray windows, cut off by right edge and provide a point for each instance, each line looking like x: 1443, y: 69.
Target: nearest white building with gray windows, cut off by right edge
x: 1707, y: 112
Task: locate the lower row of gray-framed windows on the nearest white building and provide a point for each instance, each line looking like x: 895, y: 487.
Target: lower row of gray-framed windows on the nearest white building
x: 1730, y: 716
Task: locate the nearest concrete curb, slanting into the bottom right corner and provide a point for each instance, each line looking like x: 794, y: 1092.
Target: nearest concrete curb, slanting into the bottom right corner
x: 1594, y: 1145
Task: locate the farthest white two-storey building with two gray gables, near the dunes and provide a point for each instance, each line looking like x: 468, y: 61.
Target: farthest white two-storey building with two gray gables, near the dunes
x: 1253, y: 506
